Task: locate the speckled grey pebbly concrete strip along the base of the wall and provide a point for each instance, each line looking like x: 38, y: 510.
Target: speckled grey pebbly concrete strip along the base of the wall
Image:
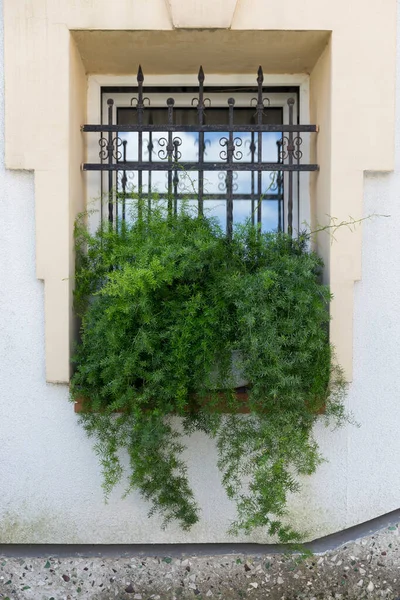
x: 367, y: 568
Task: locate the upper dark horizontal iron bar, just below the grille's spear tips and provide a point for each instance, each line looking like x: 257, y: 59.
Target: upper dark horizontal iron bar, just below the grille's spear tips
x: 197, y: 128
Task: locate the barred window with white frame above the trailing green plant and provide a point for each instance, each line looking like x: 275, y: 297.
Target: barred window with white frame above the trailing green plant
x: 233, y: 152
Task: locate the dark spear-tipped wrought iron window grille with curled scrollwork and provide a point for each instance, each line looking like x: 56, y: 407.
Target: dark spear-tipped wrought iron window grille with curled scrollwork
x: 167, y: 156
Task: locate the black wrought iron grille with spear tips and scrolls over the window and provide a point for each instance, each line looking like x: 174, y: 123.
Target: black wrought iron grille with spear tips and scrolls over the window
x: 113, y: 156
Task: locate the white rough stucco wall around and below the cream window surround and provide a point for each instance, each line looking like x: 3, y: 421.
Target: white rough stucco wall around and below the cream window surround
x: 50, y: 482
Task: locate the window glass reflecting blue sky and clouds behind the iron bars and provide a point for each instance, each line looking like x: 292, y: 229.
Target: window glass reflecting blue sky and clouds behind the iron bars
x: 248, y: 188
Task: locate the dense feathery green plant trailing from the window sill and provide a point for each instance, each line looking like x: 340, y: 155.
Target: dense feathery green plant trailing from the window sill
x: 165, y: 303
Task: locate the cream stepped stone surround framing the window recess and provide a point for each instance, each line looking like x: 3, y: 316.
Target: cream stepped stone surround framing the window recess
x: 48, y: 52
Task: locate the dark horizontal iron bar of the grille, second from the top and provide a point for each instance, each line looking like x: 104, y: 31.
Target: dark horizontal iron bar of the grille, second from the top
x: 187, y: 166
